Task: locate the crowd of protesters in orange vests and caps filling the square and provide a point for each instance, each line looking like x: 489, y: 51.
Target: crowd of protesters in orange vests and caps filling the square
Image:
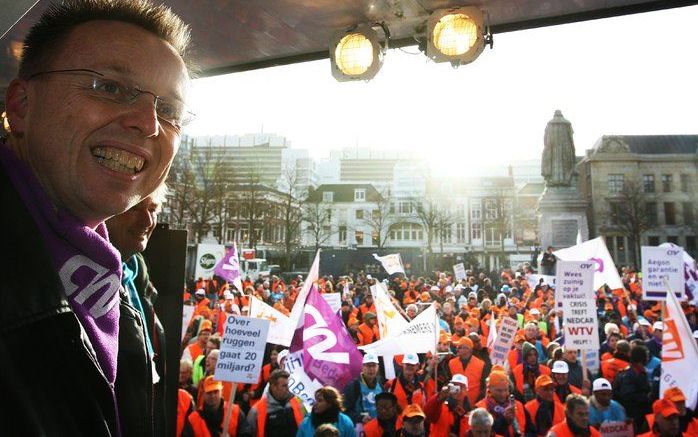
x: 543, y: 388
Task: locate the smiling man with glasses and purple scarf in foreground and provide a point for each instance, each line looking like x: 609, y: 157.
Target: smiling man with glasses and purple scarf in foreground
x: 95, y: 117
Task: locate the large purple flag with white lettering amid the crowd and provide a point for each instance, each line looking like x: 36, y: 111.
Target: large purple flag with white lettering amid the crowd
x: 329, y: 353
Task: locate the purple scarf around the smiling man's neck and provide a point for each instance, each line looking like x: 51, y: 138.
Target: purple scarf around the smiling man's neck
x: 88, y: 266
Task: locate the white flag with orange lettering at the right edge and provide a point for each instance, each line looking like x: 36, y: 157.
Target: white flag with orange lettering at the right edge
x: 679, y: 352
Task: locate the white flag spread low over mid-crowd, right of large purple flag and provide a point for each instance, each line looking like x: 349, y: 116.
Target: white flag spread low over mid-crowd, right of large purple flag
x: 418, y: 337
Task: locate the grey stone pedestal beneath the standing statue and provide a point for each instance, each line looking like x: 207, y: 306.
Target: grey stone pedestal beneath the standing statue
x: 561, y: 215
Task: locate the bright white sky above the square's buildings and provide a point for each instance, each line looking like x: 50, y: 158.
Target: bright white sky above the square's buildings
x: 636, y: 74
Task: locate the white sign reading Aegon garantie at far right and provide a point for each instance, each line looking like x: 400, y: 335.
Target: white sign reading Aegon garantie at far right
x: 658, y: 264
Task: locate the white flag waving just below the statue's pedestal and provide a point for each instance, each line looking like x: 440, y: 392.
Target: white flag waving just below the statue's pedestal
x: 595, y: 250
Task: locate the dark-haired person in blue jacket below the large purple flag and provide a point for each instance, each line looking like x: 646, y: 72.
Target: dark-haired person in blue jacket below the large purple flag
x: 327, y: 409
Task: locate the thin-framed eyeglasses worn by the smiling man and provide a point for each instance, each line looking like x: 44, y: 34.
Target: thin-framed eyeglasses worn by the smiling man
x: 175, y: 113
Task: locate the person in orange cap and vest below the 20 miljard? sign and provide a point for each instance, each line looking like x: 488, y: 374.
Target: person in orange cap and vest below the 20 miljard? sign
x: 207, y: 421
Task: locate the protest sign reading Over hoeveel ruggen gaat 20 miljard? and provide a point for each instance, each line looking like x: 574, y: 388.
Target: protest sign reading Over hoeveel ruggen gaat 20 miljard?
x: 242, y: 349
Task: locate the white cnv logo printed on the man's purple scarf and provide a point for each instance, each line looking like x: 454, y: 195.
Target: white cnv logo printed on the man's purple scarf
x: 104, y: 284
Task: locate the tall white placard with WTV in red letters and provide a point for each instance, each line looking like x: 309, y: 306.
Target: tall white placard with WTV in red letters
x: 575, y: 289
